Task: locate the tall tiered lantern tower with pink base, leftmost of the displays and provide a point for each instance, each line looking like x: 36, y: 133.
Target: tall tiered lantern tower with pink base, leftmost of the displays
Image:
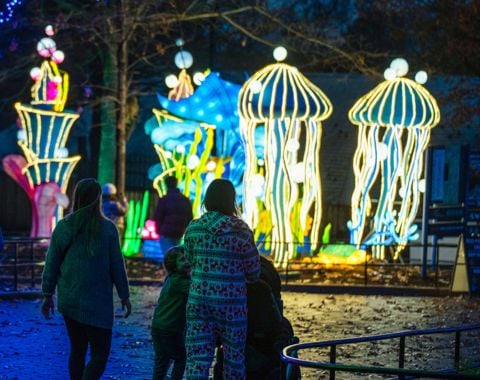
x: 44, y: 170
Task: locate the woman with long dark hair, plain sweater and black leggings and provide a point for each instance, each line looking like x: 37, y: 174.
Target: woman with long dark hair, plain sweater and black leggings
x: 84, y: 263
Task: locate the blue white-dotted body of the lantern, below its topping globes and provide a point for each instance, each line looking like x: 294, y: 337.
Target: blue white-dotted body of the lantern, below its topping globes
x: 211, y: 109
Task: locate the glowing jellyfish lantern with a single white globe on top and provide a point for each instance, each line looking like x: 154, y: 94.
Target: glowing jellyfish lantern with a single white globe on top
x: 280, y: 118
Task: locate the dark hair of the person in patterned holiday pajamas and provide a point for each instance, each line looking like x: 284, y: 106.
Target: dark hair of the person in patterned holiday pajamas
x: 220, y: 196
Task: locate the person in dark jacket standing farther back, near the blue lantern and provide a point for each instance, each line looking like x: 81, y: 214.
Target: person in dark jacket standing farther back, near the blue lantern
x: 172, y: 215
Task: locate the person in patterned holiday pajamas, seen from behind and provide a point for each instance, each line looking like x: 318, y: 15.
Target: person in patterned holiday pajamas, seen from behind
x: 223, y: 255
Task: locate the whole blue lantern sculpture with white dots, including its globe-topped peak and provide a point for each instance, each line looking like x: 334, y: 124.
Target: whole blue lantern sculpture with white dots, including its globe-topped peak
x: 196, y: 134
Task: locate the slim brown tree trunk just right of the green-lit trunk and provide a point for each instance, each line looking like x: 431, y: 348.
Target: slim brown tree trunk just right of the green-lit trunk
x: 122, y: 99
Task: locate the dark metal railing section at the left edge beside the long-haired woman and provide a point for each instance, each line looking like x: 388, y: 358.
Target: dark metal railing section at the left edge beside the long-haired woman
x: 21, y: 261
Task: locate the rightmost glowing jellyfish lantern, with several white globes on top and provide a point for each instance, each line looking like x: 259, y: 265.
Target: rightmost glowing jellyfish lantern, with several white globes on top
x: 394, y: 122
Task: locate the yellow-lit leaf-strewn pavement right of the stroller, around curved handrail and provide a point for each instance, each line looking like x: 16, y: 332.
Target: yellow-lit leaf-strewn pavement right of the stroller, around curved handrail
x: 324, y: 317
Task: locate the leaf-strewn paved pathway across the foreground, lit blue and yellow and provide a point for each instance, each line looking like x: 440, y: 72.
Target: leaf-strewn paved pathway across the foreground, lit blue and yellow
x: 32, y: 348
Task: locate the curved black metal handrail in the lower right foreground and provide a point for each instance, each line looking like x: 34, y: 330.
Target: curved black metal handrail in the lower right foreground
x: 289, y: 355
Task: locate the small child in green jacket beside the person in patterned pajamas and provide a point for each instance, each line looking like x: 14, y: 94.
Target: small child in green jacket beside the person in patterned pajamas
x: 168, y: 324
